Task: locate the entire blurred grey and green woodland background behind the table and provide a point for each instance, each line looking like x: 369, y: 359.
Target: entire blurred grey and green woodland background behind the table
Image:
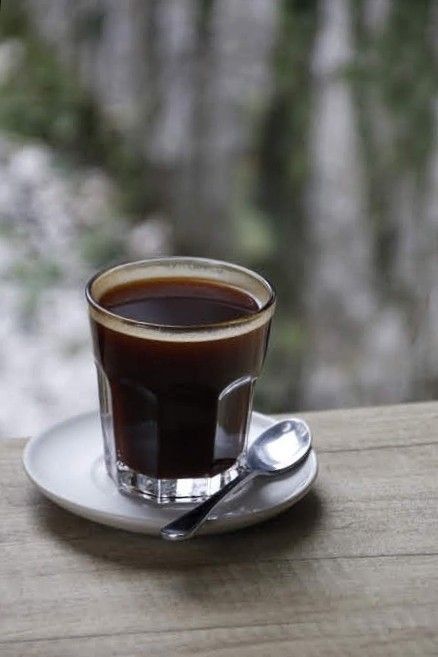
x: 296, y: 137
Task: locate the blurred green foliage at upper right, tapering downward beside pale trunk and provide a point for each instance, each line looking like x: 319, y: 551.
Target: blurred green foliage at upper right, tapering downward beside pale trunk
x: 395, y: 68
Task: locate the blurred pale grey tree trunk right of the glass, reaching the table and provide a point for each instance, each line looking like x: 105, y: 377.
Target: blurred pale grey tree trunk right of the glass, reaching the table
x: 341, y: 298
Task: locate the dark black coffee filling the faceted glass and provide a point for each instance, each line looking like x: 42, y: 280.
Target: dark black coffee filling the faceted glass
x: 179, y: 407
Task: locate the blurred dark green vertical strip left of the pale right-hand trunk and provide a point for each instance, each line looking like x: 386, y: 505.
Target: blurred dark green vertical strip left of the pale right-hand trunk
x: 280, y: 179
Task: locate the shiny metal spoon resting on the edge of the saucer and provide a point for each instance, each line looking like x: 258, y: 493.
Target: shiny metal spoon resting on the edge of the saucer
x: 276, y: 450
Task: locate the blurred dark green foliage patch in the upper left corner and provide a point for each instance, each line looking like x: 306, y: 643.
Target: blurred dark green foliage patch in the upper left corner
x: 43, y: 100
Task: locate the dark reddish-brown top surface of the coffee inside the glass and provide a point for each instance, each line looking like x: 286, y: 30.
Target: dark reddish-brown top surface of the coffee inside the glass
x: 179, y: 302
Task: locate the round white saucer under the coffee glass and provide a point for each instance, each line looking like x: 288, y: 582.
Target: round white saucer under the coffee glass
x: 66, y: 464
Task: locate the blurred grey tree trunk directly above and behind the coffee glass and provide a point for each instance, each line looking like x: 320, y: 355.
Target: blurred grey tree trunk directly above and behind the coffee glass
x: 231, y: 75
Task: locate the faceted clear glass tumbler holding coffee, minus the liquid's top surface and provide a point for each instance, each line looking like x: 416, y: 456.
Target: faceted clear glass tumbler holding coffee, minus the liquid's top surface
x: 175, y: 401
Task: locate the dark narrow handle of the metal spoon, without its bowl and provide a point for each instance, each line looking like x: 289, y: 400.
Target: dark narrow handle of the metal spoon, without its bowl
x: 187, y: 524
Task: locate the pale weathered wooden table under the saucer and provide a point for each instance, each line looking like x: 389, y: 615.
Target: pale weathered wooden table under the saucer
x: 351, y: 570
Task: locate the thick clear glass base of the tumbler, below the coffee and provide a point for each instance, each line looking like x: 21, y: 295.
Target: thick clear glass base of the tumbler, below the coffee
x: 166, y: 491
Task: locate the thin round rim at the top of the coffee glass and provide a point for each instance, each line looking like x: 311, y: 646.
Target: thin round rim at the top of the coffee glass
x: 177, y: 329
